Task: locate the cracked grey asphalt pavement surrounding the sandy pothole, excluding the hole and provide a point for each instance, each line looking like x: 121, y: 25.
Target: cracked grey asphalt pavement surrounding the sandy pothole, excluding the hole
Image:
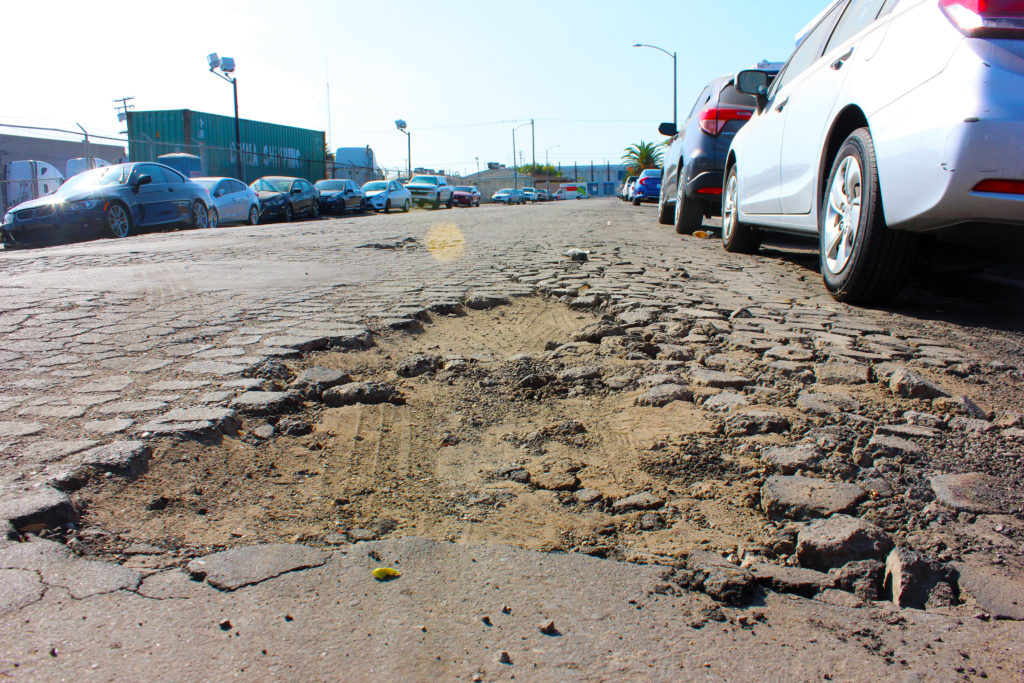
x: 156, y: 337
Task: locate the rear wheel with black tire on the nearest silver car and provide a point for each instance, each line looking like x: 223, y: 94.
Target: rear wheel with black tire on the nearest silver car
x: 863, y: 261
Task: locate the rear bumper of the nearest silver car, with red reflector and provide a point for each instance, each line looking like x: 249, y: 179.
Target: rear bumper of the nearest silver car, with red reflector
x: 929, y: 166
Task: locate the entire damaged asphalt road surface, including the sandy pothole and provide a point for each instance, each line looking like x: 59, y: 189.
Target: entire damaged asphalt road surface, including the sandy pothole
x: 770, y: 461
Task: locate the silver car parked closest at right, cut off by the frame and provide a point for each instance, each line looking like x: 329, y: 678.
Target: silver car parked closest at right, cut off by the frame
x: 892, y: 119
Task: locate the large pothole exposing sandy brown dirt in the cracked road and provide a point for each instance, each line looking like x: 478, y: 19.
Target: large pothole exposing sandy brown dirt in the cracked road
x: 498, y: 445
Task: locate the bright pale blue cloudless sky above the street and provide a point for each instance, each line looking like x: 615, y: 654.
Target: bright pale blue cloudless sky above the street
x: 459, y: 73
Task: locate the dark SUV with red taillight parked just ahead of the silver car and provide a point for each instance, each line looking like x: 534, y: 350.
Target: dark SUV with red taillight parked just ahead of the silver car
x: 693, y: 179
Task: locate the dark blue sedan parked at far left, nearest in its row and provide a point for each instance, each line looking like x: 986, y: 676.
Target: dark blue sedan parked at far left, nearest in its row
x: 113, y: 201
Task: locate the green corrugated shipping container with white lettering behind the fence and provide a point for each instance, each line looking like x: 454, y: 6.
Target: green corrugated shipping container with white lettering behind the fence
x: 267, y: 149
